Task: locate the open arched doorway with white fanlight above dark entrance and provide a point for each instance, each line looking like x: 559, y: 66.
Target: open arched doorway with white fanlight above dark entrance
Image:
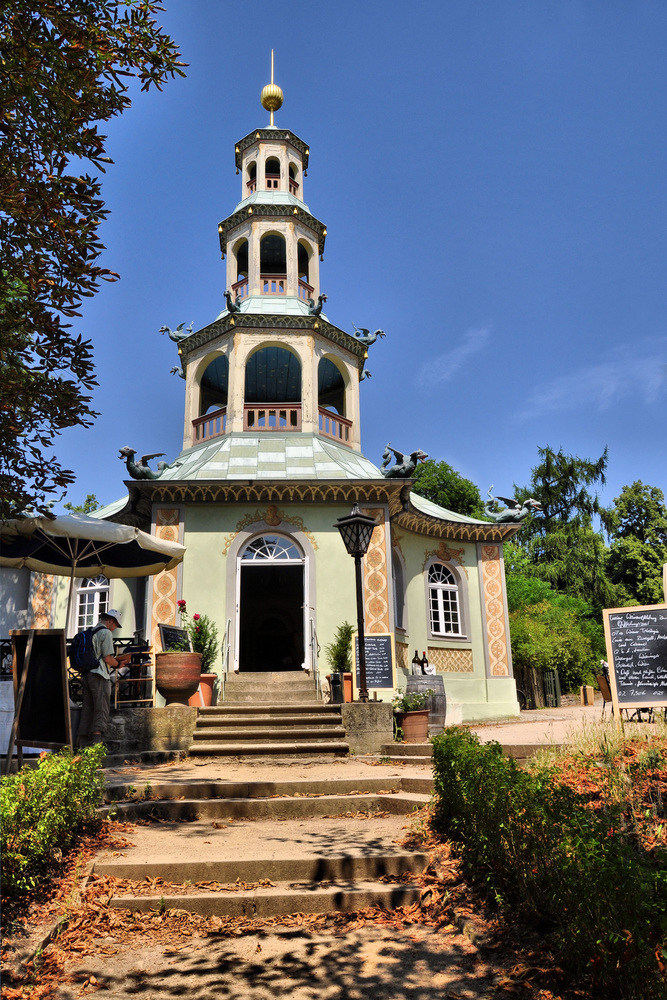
x: 270, y: 604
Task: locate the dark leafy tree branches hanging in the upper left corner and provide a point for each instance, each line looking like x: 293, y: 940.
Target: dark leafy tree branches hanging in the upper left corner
x: 66, y: 65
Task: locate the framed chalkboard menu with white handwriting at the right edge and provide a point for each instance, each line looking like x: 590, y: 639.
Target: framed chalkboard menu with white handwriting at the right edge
x: 637, y: 653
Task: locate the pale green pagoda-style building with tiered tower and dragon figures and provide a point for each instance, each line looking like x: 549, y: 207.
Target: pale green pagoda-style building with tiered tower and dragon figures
x: 272, y: 457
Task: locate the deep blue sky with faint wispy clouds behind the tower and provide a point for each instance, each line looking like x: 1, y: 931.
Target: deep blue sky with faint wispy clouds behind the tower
x: 492, y: 178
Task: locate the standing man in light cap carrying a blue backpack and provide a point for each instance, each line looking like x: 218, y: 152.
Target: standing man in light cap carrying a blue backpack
x: 97, y: 682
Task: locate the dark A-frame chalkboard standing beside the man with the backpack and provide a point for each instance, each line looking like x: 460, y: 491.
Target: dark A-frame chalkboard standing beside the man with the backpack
x: 41, y: 698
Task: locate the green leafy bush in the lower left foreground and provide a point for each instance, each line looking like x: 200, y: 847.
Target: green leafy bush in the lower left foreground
x: 43, y: 809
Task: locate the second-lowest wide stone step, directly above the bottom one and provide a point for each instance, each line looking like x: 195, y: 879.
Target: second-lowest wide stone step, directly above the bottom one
x: 369, y: 864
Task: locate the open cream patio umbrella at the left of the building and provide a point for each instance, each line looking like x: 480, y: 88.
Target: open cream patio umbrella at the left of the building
x: 76, y: 545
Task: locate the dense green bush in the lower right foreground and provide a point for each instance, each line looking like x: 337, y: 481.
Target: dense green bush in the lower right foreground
x: 575, y: 872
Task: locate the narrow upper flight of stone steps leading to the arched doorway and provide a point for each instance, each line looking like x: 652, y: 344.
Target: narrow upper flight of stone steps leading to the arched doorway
x: 270, y: 714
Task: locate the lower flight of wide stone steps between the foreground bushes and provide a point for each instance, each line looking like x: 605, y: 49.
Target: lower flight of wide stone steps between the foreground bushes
x: 265, y: 848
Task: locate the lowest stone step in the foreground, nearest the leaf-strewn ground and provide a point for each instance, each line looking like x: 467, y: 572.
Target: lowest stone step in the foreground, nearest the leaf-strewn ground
x: 278, y: 900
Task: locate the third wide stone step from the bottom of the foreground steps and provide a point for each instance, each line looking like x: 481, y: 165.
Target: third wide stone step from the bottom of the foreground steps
x: 188, y: 810
